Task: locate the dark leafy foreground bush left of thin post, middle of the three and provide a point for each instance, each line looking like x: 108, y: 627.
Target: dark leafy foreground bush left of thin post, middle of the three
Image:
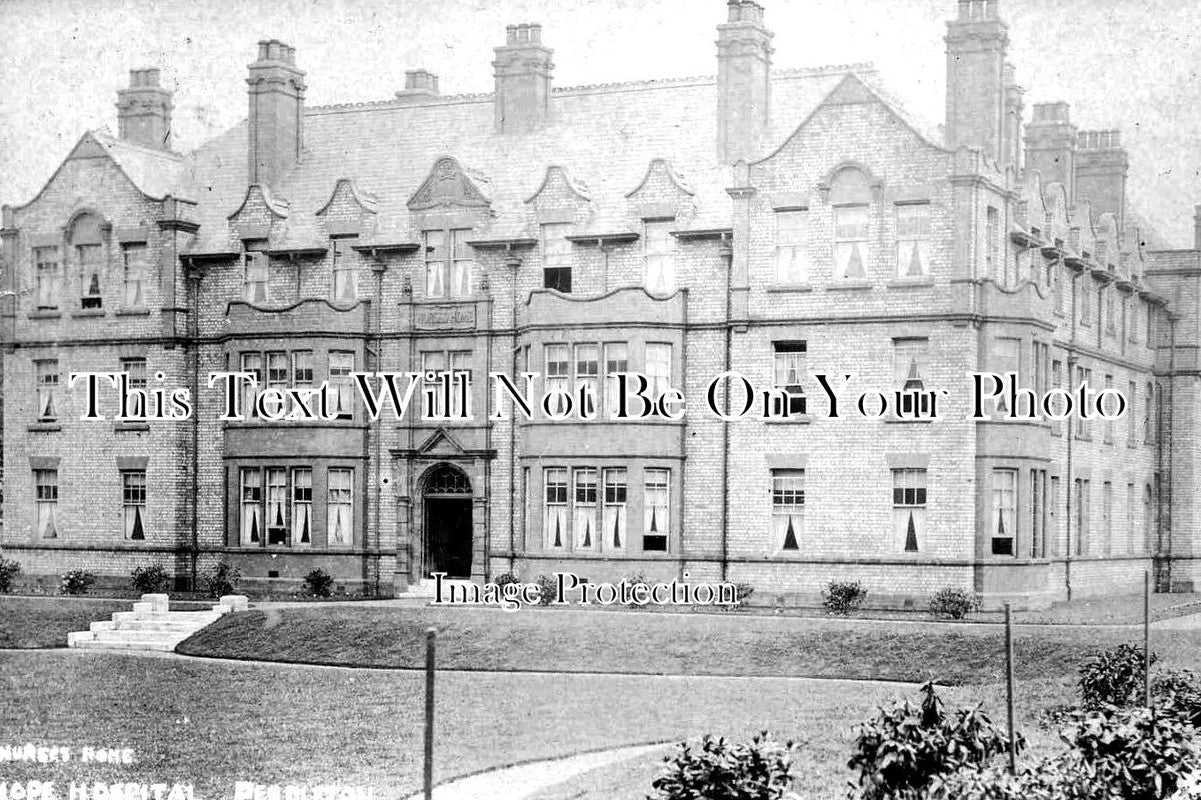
x: 903, y: 750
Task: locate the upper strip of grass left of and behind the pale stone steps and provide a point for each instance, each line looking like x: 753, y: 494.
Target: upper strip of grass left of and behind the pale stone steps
x: 46, y: 622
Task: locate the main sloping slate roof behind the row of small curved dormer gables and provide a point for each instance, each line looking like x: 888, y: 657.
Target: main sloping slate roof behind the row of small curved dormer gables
x: 605, y: 138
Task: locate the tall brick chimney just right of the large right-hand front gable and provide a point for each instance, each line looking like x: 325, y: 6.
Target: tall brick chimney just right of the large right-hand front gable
x: 976, y: 79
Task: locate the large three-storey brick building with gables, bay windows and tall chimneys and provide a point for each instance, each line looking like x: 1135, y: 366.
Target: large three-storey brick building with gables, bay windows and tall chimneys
x: 775, y: 223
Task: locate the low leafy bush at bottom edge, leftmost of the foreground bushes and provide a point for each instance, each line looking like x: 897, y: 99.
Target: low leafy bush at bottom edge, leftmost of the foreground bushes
x: 718, y: 771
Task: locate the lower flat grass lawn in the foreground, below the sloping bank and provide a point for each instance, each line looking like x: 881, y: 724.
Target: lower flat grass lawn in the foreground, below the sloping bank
x: 216, y: 723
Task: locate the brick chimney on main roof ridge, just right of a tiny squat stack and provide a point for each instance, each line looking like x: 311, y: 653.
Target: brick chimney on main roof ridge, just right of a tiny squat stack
x: 523, y: 80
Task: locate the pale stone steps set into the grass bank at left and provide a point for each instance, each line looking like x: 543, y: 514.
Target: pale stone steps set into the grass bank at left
x: 152, y: 625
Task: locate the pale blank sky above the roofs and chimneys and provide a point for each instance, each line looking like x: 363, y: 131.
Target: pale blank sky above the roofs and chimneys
x: 1122, y: 64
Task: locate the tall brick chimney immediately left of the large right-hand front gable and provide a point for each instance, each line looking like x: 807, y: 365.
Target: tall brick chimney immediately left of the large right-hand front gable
x: 744, y: 82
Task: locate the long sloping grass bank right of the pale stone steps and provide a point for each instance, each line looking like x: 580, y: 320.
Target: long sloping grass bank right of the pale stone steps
x: 566, y: 641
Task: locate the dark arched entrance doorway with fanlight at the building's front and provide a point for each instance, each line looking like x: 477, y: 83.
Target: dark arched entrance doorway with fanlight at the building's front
x: 446, y: 498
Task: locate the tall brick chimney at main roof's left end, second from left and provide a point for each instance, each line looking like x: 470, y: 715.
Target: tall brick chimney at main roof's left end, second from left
x: 277, y: 114
